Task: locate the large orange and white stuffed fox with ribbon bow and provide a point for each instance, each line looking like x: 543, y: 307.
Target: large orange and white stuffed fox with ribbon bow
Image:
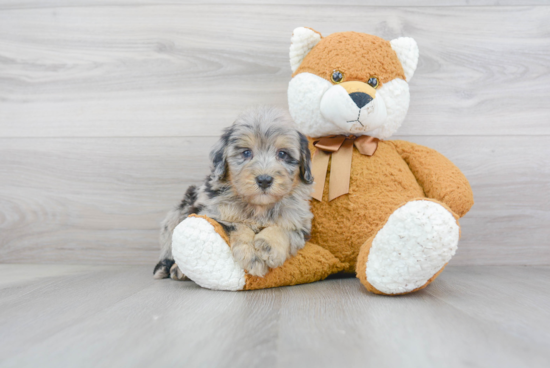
x: 387, y: 210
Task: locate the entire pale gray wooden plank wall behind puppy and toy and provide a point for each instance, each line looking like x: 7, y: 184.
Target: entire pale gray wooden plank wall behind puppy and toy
x: 108, y: 110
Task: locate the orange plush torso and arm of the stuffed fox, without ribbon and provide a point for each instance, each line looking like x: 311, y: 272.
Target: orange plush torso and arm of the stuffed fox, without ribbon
x: 380, y: 184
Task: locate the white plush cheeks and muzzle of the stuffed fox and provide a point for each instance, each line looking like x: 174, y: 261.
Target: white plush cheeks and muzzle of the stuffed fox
x: 320, y: 108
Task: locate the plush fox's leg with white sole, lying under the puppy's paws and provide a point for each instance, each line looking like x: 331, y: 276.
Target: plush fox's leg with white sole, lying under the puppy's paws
x: 201, y: 250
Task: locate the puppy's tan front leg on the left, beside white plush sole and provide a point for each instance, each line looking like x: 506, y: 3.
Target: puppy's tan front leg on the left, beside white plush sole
x: 244, y: 252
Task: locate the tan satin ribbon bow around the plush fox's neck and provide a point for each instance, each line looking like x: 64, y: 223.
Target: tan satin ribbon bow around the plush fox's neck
x: 341, y: 149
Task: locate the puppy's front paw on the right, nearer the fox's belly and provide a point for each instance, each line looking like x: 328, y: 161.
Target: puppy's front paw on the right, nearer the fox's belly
x: 273, y: 246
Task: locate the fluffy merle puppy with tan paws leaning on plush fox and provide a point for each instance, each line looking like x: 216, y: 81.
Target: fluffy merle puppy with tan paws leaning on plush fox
x: 258, y: 190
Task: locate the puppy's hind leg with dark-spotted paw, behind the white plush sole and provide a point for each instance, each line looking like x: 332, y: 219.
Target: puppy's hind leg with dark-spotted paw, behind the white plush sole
x: 166, y: 266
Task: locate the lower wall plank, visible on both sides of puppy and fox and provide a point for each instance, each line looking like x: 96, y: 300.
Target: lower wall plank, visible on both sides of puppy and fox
x: 100, y: 200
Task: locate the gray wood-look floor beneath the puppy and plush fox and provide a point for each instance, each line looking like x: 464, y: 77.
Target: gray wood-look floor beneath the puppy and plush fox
x: 118, y: 316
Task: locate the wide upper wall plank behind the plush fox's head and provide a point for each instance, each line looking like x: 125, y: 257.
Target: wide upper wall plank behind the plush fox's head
x: 187, y: 70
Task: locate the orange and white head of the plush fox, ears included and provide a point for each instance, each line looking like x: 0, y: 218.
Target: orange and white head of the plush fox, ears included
x: 349, y: 83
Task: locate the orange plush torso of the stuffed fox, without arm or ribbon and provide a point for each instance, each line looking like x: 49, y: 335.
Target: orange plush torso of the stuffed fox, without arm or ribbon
x: 379, y: 184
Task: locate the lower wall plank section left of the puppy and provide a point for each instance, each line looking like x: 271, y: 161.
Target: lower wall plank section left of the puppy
x: 102, y: 200
